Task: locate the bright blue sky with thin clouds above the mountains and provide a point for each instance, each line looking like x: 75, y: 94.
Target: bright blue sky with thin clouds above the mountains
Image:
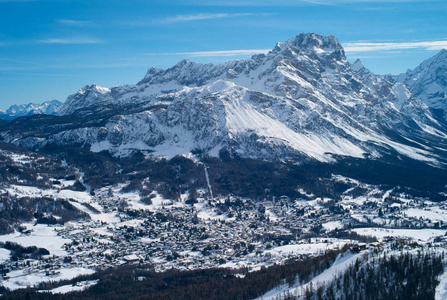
x: 51, y: 48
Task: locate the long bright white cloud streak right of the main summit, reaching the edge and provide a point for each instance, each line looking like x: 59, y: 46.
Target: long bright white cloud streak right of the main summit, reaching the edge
x: 356, y: 47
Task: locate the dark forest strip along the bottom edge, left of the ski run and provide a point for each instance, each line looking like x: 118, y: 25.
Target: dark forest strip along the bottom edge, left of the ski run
x: 135, y: 282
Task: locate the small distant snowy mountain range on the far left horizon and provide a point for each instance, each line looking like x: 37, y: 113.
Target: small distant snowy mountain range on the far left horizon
x: 46, y: 108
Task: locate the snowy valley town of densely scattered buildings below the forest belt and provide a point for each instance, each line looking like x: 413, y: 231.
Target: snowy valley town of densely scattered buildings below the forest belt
x: 227, y: 232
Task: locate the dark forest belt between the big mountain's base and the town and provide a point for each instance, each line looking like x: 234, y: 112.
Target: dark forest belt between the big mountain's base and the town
x: 249, y: 178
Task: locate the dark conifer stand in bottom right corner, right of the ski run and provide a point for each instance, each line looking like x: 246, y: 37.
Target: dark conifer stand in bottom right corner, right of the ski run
x: 405, y: 276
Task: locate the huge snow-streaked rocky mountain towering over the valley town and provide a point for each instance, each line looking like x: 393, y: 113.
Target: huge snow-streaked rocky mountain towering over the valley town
x: 303, y: 100
